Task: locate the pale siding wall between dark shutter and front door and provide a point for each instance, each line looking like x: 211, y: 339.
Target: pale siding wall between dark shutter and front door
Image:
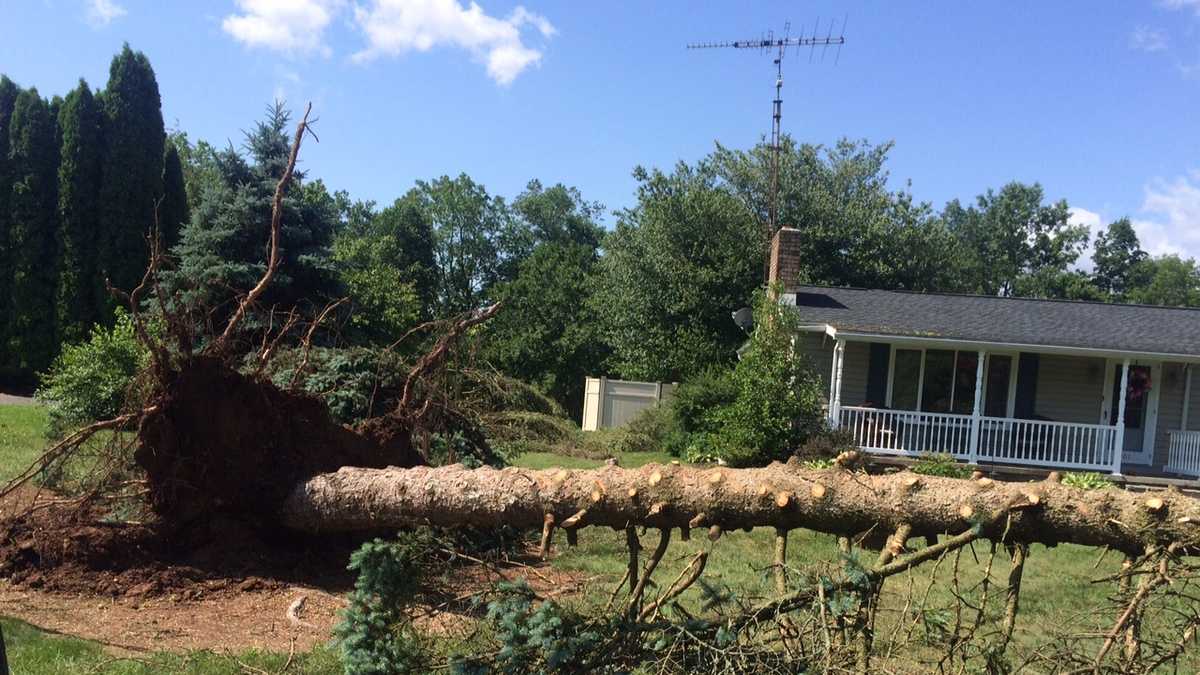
x: 1070, y: 389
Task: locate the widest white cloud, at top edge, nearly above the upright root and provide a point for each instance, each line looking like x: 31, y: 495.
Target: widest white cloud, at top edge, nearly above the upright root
x: 397, y: 27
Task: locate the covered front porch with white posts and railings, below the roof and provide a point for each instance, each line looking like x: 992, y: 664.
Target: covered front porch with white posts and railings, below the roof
x: 1011, y: 404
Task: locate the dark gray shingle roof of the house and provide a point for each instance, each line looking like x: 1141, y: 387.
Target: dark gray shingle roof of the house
x: 1015, y: 321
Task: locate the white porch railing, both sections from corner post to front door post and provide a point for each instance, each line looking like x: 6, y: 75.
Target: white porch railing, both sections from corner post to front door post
x: 1000, y: 440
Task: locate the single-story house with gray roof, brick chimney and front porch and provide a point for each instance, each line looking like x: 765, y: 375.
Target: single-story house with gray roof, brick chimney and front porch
x: 1004, y: 381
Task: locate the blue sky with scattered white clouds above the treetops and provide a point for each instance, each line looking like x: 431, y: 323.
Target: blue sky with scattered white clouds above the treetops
x: 1099, y: 101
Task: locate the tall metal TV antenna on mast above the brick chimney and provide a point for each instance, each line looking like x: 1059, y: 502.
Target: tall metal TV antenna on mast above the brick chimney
x: 779, y: 46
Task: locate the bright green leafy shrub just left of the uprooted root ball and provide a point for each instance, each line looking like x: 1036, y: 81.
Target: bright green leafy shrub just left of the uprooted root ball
x: 93, y: 380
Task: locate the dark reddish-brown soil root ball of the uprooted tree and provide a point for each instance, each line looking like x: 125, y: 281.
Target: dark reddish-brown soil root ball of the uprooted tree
x: 223, y: 443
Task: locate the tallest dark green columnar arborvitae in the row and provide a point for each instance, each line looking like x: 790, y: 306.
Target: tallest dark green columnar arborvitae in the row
x: 131, y: 174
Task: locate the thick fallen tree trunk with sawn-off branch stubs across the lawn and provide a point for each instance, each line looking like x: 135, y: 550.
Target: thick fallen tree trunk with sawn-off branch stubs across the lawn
x: 783, y: 497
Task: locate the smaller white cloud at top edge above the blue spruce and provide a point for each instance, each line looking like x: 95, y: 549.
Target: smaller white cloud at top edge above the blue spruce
x: 293, y: 27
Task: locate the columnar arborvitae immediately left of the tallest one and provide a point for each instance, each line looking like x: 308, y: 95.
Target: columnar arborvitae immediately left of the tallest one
x: 80, y: 288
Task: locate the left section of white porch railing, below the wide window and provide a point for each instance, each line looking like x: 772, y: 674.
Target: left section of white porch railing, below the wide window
x: 908, y: 433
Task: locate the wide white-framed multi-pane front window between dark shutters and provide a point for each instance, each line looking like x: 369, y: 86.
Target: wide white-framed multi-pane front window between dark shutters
x: 945, y: 381
